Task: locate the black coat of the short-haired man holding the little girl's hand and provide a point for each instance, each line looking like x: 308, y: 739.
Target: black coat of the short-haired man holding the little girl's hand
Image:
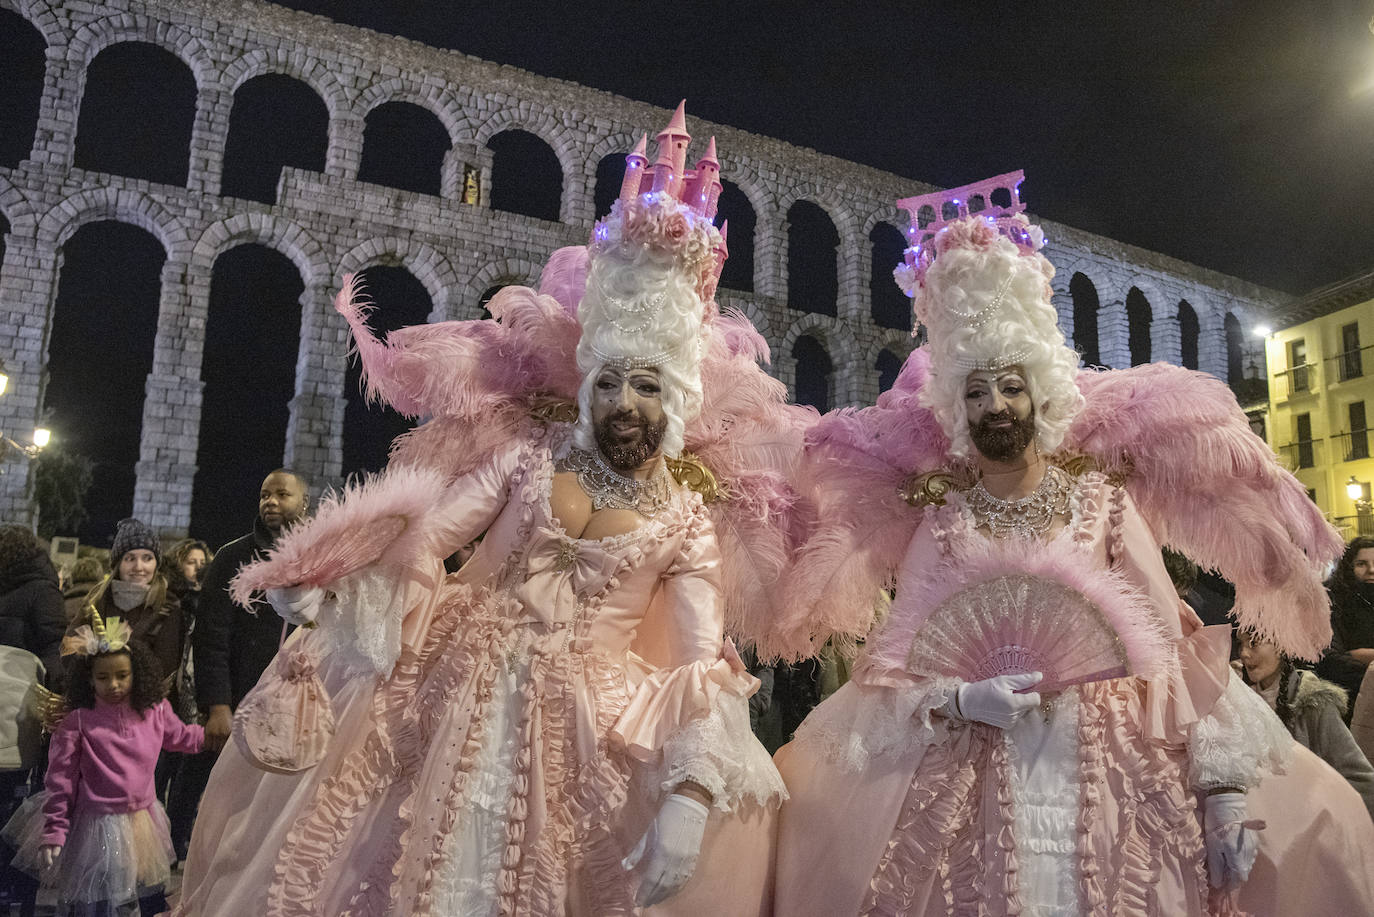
x: 233, y: 645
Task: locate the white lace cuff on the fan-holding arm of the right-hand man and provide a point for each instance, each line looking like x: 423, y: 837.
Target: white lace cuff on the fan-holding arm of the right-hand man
x: 861, y: 724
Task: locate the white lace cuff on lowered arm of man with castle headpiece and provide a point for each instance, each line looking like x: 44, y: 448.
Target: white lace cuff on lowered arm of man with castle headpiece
x: 721, y: 754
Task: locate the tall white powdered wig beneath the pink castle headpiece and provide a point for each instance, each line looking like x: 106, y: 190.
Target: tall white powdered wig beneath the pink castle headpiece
x: 641, y: 310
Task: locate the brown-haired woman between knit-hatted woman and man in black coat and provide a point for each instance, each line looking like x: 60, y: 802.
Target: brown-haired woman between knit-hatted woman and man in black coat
x: 185, y: 568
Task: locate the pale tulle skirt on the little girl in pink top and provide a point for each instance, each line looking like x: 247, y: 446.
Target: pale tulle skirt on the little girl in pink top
x: 108, y: 859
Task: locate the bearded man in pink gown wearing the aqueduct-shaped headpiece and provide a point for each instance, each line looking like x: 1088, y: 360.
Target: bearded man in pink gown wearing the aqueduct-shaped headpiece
x: 1041, y: 727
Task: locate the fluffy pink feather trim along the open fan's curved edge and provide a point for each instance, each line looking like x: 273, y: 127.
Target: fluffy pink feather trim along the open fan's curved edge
x: 1144, y: 636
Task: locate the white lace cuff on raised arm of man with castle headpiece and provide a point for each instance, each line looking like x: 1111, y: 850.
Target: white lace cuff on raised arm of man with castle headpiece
x: 363, y: 621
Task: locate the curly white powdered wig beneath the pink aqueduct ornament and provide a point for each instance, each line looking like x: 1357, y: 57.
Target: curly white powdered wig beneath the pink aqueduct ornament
x: 987, y: 306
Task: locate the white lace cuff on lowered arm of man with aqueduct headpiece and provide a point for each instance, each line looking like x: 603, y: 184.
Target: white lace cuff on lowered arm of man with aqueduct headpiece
x: 1239, y: 743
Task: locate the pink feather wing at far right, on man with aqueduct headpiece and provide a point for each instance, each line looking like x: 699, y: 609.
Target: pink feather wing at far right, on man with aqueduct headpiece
x: 1215, y: 491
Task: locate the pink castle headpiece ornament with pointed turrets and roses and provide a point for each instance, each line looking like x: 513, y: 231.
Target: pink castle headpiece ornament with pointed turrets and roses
x: 670, y: 208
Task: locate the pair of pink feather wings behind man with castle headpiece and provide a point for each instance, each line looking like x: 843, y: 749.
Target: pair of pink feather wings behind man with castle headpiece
x: 477, y: 382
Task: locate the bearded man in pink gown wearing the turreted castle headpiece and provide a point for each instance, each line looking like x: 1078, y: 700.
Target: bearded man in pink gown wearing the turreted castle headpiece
x: 559, y: 728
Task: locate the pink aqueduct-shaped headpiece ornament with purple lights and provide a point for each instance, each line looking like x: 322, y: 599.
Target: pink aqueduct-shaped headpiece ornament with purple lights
x: 997, y: 200
